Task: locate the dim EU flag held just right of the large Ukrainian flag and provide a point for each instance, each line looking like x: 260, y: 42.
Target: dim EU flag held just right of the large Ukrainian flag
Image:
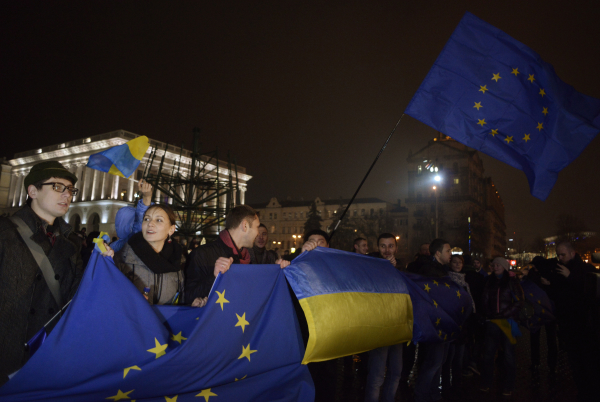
x: 440, y: 308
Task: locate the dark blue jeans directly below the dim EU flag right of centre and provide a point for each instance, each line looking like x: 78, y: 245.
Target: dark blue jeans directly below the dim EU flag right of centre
x: 431, y: 357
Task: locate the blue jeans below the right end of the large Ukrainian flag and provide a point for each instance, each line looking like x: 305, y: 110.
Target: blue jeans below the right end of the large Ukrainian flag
x: 392, y: 355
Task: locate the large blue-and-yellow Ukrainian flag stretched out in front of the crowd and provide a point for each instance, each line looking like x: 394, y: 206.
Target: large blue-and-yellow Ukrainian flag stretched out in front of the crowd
x: 352, y: 303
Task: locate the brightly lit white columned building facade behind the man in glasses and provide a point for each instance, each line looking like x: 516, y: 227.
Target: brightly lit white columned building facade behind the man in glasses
x: 101, y: 195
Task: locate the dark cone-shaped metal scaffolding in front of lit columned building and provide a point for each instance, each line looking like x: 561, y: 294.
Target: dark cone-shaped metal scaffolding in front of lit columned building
x: 199, y: 187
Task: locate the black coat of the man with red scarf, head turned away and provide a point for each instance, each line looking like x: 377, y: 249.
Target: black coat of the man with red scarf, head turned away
x: 199, y: 272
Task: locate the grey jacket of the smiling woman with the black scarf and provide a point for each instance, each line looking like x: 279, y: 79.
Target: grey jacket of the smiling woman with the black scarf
x: 163, y: 287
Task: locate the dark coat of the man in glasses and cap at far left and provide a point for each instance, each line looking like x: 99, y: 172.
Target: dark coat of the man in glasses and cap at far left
x: 26, y: 303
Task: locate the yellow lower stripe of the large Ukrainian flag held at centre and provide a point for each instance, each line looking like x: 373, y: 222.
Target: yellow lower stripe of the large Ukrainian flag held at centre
x: 341, y: 324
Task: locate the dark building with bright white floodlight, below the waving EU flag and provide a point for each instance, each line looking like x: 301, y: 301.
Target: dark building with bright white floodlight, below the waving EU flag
x: 449, y: 197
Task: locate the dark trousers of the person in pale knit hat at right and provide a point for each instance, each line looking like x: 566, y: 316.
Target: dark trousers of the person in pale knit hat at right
x: 495, y: 338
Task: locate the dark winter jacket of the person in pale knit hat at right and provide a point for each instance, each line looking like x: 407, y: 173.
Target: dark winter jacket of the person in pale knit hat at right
x: 502, y: 297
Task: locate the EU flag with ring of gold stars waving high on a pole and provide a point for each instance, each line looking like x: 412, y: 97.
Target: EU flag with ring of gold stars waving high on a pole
x: 492, y: 93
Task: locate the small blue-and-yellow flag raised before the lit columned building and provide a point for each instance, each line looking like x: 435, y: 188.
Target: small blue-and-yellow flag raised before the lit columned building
x: 121, y: 160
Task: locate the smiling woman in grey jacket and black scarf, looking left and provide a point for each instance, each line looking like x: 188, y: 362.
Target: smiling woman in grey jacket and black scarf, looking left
x: 150, y: 259
